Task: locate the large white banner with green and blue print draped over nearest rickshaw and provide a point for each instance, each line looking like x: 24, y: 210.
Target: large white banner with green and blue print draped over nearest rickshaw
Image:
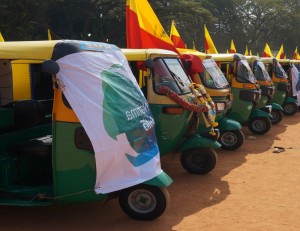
x: 106, y: 98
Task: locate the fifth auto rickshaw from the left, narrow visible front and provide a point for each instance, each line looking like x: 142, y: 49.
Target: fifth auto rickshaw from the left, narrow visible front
x: 267, y: 88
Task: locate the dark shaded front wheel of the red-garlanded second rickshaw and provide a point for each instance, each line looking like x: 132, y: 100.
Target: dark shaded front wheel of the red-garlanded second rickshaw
x: 199, y: 160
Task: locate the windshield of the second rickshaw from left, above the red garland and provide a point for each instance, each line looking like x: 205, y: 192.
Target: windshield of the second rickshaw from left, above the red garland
x: 170, y: 73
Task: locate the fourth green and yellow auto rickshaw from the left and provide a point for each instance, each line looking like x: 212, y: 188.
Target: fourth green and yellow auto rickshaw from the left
x: 246, y: 93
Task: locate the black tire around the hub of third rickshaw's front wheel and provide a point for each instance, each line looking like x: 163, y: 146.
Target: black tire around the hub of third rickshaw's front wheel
x: 238, y: 135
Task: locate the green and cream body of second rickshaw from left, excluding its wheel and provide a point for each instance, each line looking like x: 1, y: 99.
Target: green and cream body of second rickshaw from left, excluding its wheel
x: 174, y: 124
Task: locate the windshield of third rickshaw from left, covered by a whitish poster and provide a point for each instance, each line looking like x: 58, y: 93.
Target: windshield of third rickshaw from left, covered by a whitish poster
x: 213, y: 77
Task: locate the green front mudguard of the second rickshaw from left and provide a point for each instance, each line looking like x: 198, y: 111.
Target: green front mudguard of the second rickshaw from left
x: 197, y: 141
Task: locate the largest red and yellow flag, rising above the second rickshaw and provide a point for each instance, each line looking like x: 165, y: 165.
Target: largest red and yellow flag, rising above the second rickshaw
x: 143, y: 29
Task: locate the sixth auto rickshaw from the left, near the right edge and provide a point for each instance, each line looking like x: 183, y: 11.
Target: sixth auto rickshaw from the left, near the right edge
x: 281, y: 82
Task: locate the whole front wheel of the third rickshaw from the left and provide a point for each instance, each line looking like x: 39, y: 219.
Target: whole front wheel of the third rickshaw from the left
x: 231, y: 139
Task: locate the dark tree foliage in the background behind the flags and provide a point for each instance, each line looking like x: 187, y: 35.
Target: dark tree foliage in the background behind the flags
x: 248, y: 22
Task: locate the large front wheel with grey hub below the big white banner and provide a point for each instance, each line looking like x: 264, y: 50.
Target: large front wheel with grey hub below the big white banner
x: 144, y: 202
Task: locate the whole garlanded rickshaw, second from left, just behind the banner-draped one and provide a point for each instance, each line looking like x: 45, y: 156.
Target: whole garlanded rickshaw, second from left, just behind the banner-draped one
x: 169, y: 92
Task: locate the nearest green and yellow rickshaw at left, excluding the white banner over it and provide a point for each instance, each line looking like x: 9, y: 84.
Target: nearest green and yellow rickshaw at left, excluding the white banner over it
x: 38, y: 128
